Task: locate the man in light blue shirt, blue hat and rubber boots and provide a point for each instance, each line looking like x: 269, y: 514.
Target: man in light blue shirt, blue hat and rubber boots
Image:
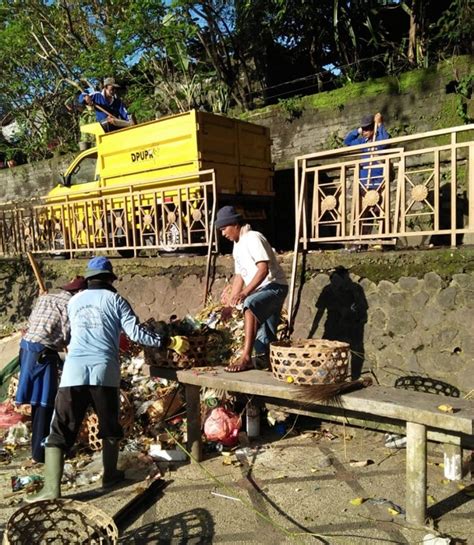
x: 91, y: 374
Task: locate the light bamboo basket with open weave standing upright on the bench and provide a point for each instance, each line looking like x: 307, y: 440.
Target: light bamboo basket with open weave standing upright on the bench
x: 310, y: 361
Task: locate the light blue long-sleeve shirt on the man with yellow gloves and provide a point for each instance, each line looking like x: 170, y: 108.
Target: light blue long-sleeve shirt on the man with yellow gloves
x: 97, y: 317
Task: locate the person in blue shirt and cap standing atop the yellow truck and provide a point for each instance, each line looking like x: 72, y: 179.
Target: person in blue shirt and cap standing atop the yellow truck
x: 117, y: 116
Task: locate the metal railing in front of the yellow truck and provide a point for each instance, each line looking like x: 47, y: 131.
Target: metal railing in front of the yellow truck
x: 165, y: 214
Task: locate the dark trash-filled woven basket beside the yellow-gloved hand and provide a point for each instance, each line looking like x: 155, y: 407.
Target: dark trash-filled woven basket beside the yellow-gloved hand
x: 196, y: 356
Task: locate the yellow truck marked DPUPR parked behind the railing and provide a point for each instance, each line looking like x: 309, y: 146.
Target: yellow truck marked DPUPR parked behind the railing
x: 156, y: 184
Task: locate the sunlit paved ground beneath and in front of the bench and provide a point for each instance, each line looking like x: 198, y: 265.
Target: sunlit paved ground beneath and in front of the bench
x: 302, y: 488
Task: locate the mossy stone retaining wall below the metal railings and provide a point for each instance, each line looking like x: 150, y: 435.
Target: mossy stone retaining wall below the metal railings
x: 402, y: 312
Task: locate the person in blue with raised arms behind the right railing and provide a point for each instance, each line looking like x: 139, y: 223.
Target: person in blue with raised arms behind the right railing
x: 371, y: 130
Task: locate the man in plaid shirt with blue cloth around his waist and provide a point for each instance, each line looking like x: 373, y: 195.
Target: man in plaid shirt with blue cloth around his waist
x: 48, y: 333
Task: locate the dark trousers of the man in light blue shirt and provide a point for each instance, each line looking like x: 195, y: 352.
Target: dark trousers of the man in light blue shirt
x: 71, y: 406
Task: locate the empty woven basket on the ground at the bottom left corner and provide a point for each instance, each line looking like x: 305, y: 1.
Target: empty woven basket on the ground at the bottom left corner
x: 58, y: 522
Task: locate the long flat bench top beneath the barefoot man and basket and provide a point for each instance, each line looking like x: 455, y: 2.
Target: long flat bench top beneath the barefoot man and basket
x: 390, y: 402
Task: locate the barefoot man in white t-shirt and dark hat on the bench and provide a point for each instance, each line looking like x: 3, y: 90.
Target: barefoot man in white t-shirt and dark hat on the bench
x: 259, y: 285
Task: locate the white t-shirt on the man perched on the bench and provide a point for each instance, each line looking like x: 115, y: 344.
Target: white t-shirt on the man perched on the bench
x: 252, y: 248
